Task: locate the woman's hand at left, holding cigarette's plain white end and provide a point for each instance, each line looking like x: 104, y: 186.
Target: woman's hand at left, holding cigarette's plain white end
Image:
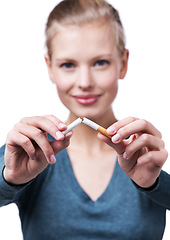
x: 28, y: 150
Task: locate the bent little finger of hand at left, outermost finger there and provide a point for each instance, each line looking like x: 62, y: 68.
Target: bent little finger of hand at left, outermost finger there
x: 15, y: 138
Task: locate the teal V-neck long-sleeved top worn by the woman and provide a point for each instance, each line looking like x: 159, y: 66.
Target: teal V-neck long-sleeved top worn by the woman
x: 54, y: 206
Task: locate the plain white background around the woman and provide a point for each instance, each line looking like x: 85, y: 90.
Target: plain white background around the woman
x: 25, y: 89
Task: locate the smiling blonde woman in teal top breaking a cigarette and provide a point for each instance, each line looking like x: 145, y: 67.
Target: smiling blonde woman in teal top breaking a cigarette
x: 99, y: 188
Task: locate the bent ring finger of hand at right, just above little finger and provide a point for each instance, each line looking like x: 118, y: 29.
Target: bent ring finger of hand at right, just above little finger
x: 145, y: 140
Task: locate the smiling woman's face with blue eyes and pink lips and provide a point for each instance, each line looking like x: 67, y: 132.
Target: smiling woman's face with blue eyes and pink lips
x: 85, y: 66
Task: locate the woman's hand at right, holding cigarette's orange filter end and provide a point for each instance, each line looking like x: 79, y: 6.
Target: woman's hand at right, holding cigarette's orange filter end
x: 141, y: 151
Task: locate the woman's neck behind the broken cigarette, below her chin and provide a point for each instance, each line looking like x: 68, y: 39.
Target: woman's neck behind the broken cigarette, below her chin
x: 85, y: 137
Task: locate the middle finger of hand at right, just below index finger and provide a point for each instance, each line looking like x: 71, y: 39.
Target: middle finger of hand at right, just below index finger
x: 137, y: 126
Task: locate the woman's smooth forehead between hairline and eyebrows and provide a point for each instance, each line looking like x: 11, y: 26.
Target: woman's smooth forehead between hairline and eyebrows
x: 88, y: 38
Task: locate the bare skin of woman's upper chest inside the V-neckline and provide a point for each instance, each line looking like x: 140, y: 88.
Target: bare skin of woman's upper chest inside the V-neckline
x: 93, y: 172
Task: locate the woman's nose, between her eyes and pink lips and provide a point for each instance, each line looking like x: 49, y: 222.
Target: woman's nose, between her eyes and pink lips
x: 85, y: 78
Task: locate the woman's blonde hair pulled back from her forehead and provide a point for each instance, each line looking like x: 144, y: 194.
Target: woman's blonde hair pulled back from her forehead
x: 79, y: 12
